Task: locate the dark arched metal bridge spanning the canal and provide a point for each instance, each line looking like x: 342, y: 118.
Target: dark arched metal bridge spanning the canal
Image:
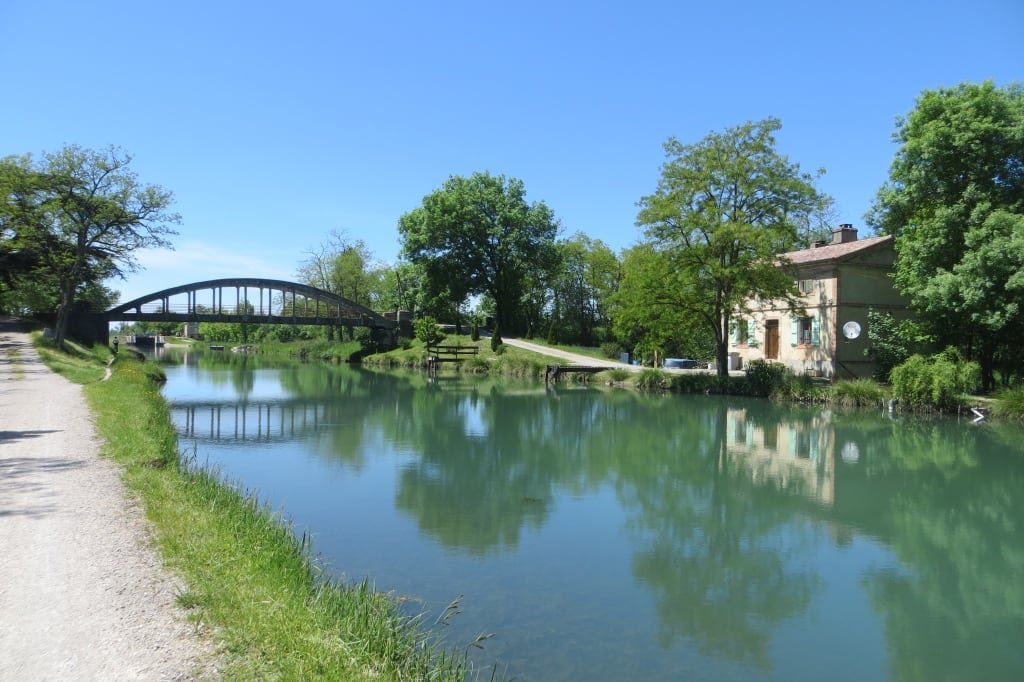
x: 249, y: 301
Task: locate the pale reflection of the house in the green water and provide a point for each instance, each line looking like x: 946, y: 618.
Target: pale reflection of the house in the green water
x: 796, y: 457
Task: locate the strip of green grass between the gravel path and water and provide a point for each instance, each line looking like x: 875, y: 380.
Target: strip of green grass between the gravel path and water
x: 249, y: 579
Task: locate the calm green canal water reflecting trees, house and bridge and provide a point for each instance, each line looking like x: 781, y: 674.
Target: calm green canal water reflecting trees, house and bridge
x: 614, y: 536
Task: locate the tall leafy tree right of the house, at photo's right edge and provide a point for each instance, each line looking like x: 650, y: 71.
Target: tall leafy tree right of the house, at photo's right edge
x: 955, y: 201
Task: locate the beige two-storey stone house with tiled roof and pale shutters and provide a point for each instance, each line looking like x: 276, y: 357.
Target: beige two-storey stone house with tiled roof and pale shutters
x: 839, y: 282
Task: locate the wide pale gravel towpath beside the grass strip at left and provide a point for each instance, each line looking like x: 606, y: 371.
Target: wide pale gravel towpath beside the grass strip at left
x: 83, y: 595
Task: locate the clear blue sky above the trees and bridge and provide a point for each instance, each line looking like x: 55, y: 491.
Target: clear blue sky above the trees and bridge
x: 276, y: 123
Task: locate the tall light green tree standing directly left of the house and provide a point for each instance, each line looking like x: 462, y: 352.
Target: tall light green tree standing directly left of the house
x: 723, y: 209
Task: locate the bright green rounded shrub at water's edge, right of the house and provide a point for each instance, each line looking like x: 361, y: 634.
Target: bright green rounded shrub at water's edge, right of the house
x: 937, y: 383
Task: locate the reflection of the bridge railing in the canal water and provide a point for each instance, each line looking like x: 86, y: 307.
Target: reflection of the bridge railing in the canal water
x: 269, y: 421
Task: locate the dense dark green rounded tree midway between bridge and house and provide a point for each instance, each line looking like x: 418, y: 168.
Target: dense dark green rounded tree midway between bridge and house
x: 478, y: 236
